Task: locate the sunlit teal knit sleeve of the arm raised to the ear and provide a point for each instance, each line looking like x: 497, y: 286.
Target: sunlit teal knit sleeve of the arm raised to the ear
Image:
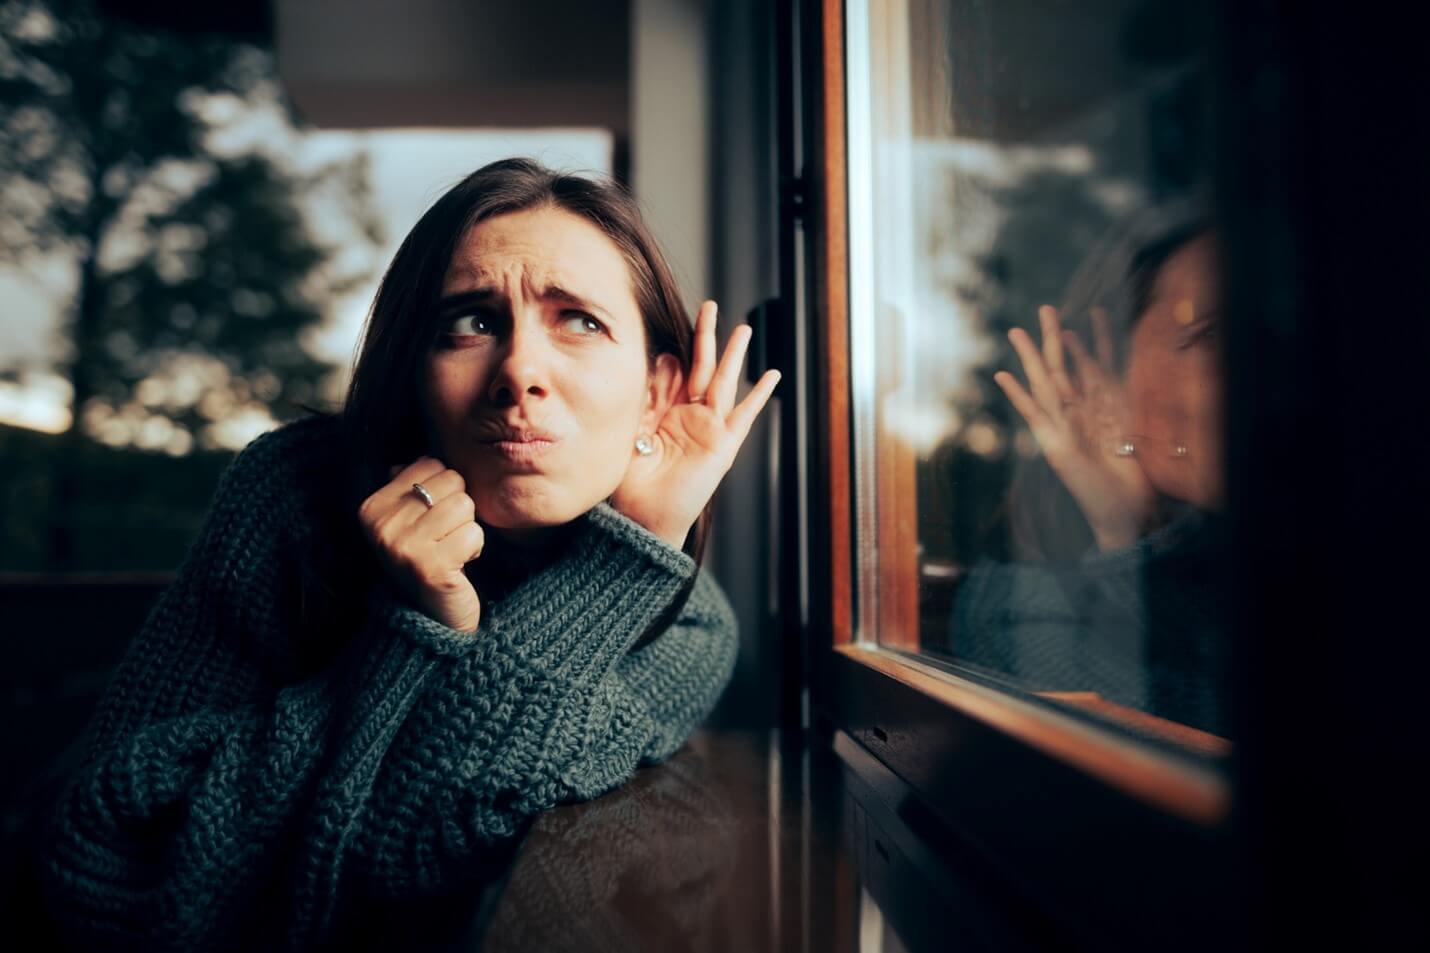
x: 553, y: 705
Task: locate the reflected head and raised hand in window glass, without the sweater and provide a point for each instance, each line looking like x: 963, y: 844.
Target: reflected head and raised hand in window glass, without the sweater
x: 1120, y: 446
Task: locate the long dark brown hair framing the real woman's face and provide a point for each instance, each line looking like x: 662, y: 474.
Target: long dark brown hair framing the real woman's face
x: 384, y: 414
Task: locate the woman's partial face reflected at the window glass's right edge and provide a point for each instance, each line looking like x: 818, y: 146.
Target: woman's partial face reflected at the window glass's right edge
x: 1175, y: 380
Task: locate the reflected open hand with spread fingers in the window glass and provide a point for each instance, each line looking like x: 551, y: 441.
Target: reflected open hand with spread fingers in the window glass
x: 1082, y: 426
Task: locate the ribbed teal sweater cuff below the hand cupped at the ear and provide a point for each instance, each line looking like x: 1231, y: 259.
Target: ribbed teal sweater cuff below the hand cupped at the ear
x: 576, y: 619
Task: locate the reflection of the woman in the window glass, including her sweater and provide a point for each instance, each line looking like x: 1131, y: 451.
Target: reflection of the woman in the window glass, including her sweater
x: 1132, y: 613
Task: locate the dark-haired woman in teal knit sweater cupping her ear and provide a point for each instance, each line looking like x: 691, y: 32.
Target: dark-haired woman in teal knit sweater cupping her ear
x: 405, y: 630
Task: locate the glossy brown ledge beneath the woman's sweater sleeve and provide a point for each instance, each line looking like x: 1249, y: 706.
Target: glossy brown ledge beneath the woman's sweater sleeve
x: 704, y: 852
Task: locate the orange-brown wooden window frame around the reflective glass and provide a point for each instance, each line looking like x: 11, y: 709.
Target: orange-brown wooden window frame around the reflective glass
x: 1042, y: 795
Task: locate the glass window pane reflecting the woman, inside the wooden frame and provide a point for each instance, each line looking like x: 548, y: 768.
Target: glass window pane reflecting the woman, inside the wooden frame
x: 1036, y: 356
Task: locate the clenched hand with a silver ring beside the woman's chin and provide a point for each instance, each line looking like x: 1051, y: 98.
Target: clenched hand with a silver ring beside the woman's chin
x: 425, y: 547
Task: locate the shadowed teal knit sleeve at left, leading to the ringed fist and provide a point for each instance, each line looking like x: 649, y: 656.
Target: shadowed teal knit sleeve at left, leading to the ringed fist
x: 211, y: 742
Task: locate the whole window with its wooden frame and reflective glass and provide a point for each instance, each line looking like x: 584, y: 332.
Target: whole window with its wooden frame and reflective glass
x: 1016, y: 665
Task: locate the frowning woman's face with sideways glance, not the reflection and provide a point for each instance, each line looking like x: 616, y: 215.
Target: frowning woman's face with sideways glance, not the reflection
x: 538, y: 384
